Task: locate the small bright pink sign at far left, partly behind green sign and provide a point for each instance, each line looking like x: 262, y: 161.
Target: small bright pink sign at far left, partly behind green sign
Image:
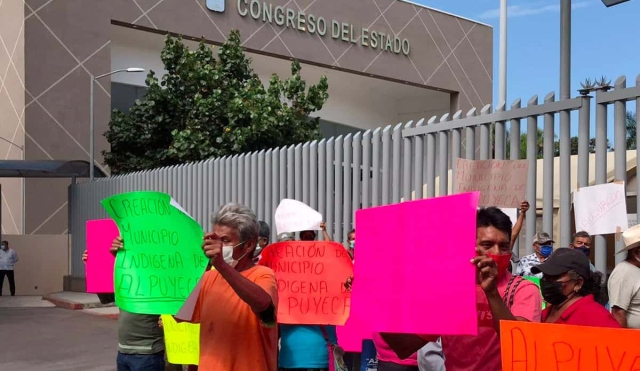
x: 99, y: 268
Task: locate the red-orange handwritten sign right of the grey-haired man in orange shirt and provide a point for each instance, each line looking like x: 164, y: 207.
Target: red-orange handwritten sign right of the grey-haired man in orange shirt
x: 311, y: 278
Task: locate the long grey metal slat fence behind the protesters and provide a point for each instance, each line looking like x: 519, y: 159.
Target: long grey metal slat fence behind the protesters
x: 340, y: 175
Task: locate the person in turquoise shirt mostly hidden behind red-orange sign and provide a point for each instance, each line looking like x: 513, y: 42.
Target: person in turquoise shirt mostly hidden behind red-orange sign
x: 304, y: 347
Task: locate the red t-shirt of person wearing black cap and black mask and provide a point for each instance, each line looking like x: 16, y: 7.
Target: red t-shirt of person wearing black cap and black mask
x: 584, y: 312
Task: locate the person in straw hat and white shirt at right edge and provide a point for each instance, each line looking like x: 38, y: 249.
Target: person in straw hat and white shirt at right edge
x: 624, y: 282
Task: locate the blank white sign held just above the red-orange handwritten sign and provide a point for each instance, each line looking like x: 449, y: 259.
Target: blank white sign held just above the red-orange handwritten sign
x: 295, y: 216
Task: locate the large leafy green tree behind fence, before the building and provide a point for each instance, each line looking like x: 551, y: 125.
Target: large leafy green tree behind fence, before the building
x: 206, y: 107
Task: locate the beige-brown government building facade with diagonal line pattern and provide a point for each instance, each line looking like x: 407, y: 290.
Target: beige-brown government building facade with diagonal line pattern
x: 387, y: 61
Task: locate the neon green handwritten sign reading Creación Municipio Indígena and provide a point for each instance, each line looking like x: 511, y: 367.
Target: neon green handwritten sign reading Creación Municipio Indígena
x: 162, y: 259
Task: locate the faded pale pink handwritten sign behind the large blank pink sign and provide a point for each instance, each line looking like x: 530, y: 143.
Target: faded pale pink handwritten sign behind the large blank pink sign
x: 501, y: 183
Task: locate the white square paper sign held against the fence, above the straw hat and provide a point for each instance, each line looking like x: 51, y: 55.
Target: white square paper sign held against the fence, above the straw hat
x: 601, y: 209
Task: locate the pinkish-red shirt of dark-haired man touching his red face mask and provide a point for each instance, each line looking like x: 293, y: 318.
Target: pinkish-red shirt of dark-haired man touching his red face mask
x: 482, y: 352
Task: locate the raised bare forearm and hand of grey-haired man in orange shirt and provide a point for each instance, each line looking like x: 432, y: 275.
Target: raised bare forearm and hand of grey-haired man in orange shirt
x: 255, y: 296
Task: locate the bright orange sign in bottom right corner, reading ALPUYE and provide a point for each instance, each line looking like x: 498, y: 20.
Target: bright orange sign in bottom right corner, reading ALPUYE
x: 528, y: 346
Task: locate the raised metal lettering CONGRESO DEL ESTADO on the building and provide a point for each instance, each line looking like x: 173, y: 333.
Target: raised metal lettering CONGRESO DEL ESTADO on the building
x: 295, y: 19
